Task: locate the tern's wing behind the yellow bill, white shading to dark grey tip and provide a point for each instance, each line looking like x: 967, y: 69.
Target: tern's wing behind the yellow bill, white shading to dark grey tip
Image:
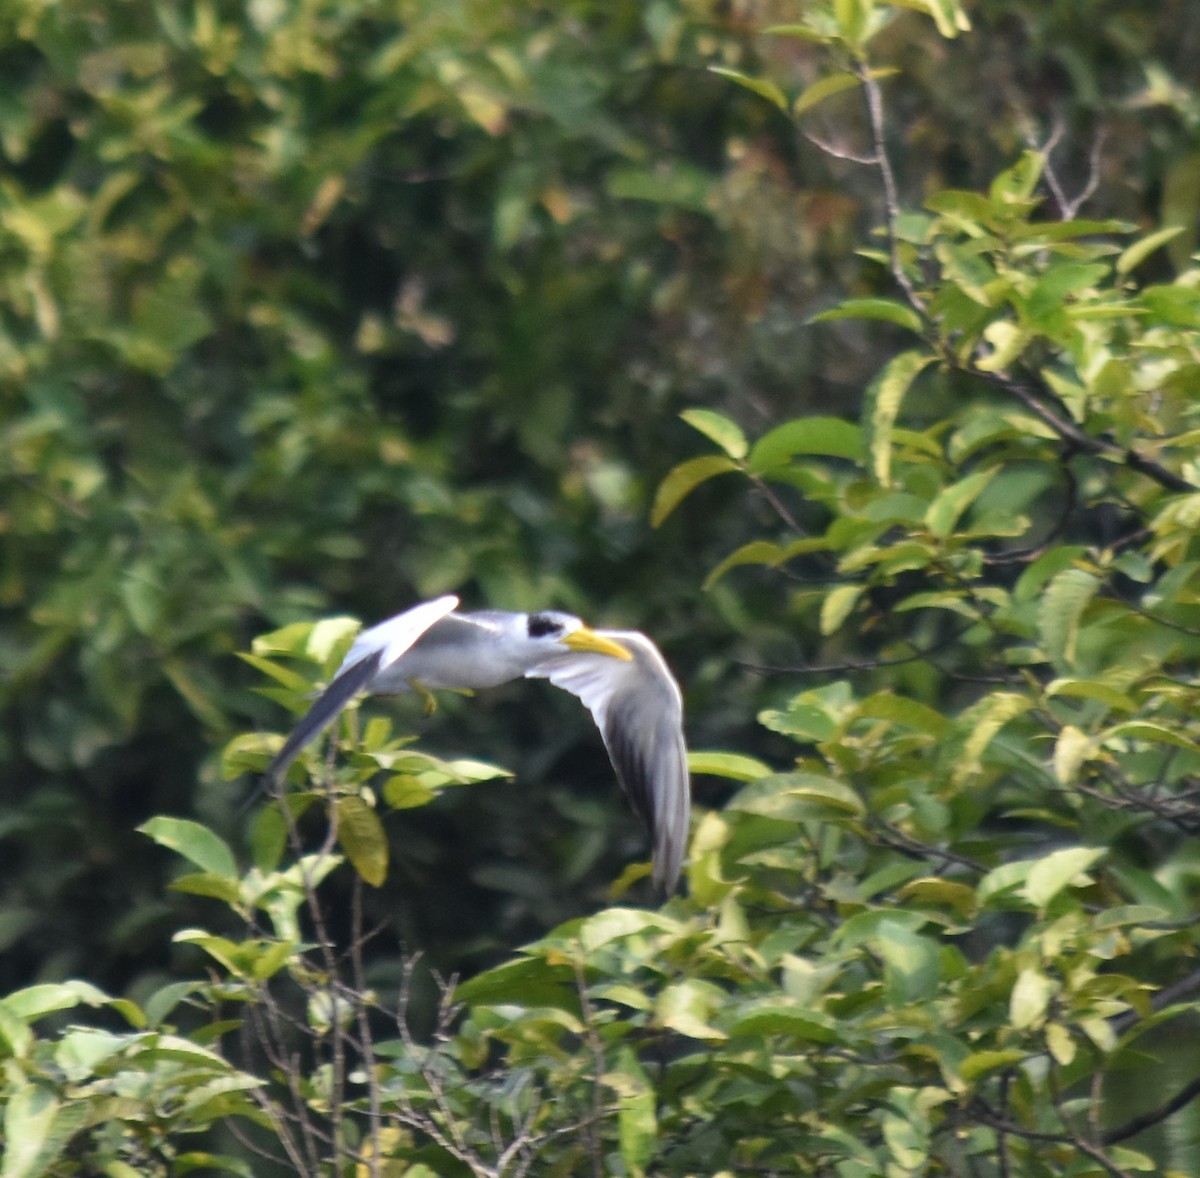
x: 639, y: 711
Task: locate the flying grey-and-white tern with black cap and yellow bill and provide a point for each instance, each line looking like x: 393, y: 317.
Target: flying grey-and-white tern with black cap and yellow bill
x: 619, y: 675
